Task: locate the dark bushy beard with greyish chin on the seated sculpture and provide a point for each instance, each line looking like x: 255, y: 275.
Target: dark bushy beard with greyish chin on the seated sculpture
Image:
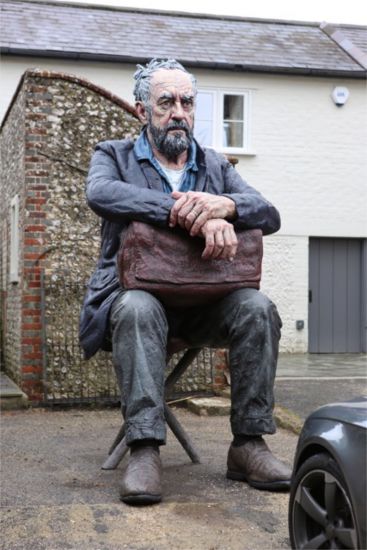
x: 171, y: 144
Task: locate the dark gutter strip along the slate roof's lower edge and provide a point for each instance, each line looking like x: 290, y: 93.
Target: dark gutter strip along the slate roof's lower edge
x: 305, y: 71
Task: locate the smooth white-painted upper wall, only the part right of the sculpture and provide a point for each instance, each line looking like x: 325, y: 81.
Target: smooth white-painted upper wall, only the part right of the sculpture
x: 310, y: 155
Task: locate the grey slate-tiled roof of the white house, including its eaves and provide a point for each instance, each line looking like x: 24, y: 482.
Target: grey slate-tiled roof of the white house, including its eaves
x: 83, y: 31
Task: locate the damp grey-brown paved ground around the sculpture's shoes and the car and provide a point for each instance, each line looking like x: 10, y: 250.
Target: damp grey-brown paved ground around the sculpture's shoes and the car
x: 55, y: 495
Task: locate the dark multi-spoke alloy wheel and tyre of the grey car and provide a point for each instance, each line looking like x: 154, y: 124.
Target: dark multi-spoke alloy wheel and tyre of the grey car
x: 320, y: 511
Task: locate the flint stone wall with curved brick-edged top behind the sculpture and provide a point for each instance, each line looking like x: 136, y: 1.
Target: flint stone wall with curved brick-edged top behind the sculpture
x: 63, y: 118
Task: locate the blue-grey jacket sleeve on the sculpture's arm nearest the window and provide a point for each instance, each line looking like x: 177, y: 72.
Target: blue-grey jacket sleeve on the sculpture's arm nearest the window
x: 253, y: 210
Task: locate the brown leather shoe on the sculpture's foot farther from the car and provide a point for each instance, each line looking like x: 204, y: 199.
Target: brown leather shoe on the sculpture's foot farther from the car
x: 141, y: 482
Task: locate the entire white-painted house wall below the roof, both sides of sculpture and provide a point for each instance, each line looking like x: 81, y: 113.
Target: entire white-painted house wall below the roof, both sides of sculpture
x: 310, y: 161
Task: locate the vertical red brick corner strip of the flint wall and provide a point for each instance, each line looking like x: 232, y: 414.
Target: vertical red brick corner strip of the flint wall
x: 36, y: 241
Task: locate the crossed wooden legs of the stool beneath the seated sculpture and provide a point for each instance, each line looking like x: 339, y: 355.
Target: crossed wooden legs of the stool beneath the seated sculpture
x: 119, y: 448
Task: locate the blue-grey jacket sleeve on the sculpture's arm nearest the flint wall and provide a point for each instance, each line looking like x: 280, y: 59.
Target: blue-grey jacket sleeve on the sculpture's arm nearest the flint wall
x: 118, y: 201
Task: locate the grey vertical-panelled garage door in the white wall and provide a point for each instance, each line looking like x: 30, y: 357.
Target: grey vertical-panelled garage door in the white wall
x: 336, y: 295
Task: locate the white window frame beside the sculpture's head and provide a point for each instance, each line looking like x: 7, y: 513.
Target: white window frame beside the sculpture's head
x: 217, y: 117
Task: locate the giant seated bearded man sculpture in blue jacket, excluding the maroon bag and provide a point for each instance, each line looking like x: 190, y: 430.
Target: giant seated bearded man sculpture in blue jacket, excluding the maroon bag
x: 165, y: 178
